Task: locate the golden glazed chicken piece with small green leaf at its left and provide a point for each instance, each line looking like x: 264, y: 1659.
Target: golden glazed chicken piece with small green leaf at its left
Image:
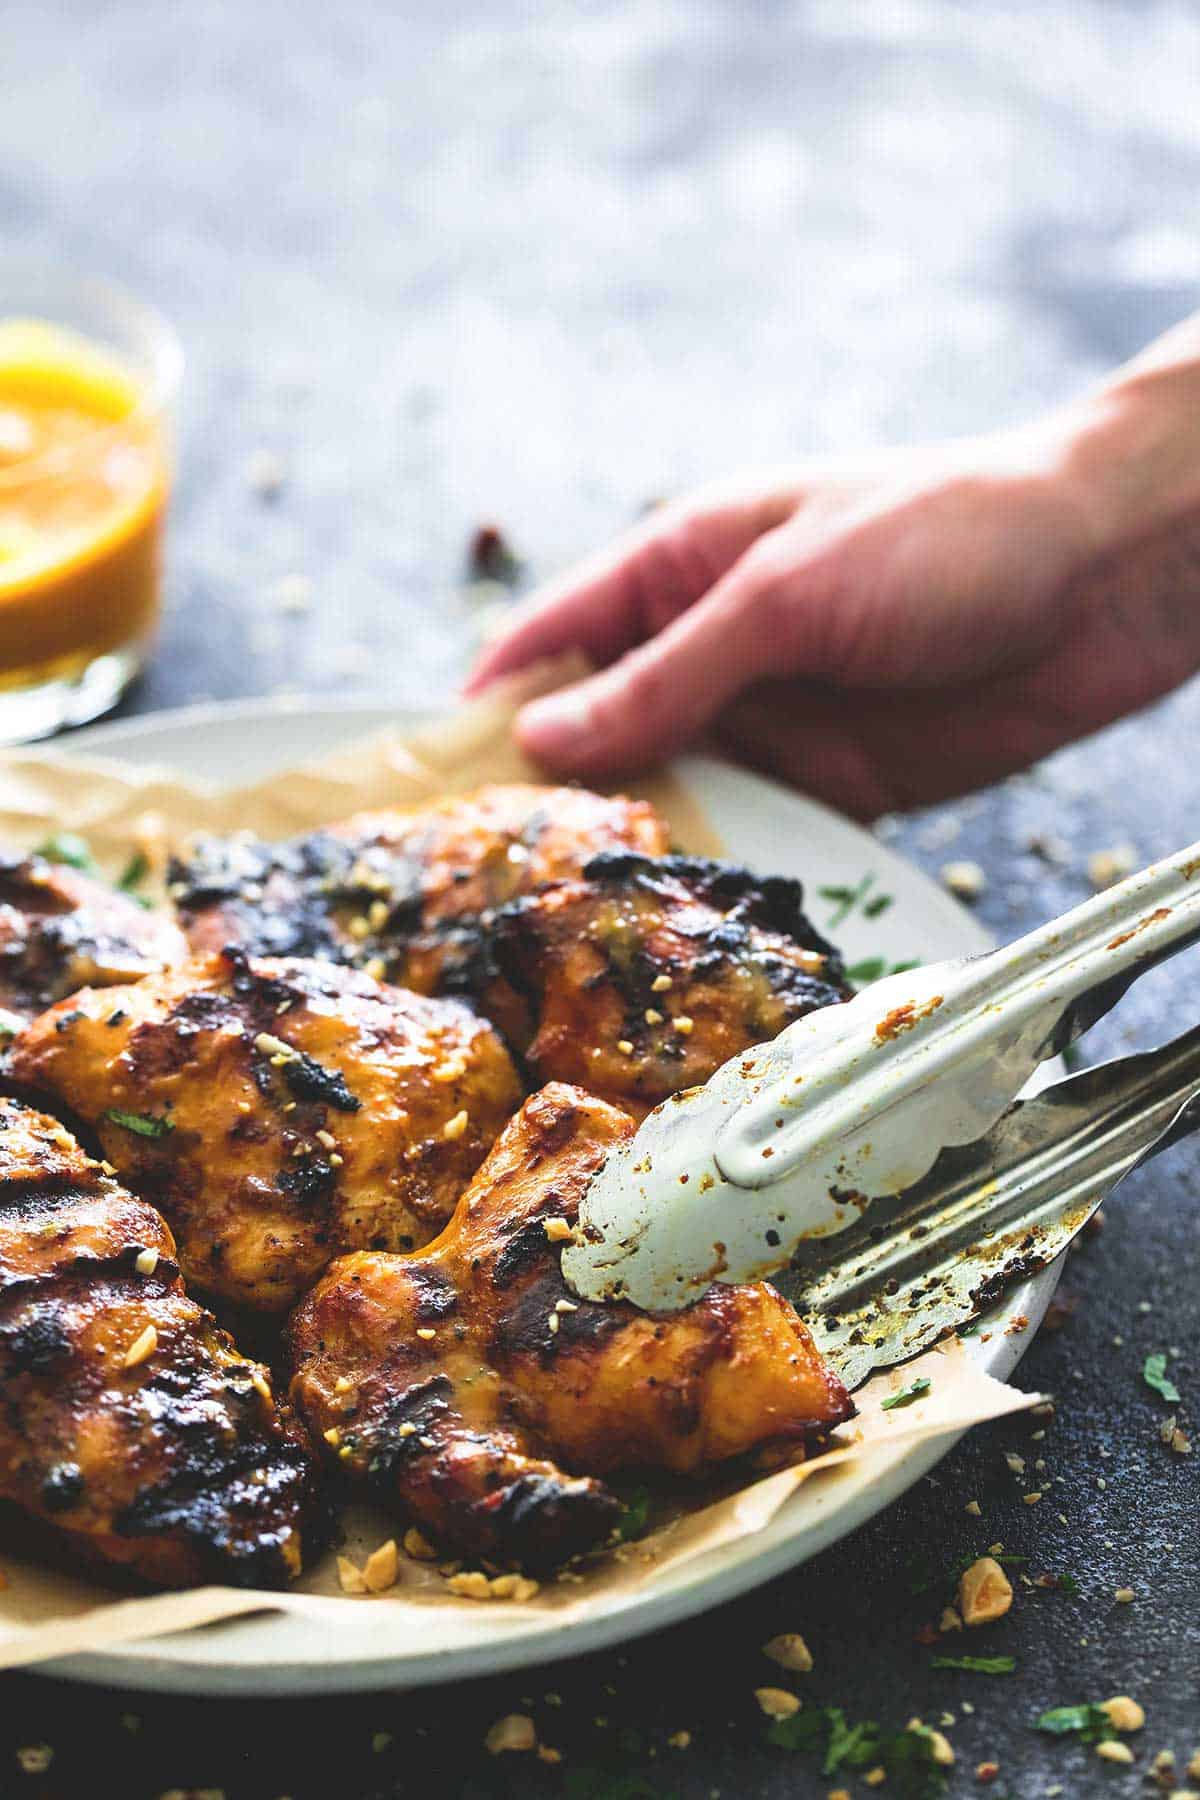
x: 278, y: 1111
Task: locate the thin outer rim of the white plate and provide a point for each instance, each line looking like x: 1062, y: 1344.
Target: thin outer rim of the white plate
x: 138, y: 1668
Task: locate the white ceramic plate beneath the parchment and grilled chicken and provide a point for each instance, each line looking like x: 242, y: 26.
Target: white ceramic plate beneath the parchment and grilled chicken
x: 334, y: 1646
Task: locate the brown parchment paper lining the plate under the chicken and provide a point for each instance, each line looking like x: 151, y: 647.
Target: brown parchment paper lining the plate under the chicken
x: 48, y: 1612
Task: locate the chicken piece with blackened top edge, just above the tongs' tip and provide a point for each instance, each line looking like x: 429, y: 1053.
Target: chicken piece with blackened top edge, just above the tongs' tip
x: 647, y: 975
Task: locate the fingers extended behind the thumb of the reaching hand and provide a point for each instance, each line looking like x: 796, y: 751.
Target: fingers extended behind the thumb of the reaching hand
x: 638, y: 586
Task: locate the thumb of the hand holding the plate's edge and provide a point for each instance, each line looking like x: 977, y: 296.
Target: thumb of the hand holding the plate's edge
x: 665, y: 692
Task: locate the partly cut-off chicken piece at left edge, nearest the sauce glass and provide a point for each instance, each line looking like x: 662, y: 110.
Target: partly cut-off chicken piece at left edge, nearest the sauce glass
x: 62, y: 930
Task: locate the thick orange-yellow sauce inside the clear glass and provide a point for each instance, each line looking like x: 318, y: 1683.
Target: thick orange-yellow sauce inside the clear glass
x: 84, y: 487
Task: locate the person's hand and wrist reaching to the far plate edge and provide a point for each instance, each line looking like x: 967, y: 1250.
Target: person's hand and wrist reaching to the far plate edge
x: 893, y: 633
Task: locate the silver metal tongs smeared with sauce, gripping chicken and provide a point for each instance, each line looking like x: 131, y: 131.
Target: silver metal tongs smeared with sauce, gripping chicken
x: 879, y: 1153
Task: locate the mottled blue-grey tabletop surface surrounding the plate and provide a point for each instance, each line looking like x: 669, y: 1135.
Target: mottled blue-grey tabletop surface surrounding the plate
x: 438, y: 265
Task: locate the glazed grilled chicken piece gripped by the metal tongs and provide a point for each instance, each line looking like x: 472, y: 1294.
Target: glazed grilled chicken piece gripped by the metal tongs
x: 470, y: 1389
